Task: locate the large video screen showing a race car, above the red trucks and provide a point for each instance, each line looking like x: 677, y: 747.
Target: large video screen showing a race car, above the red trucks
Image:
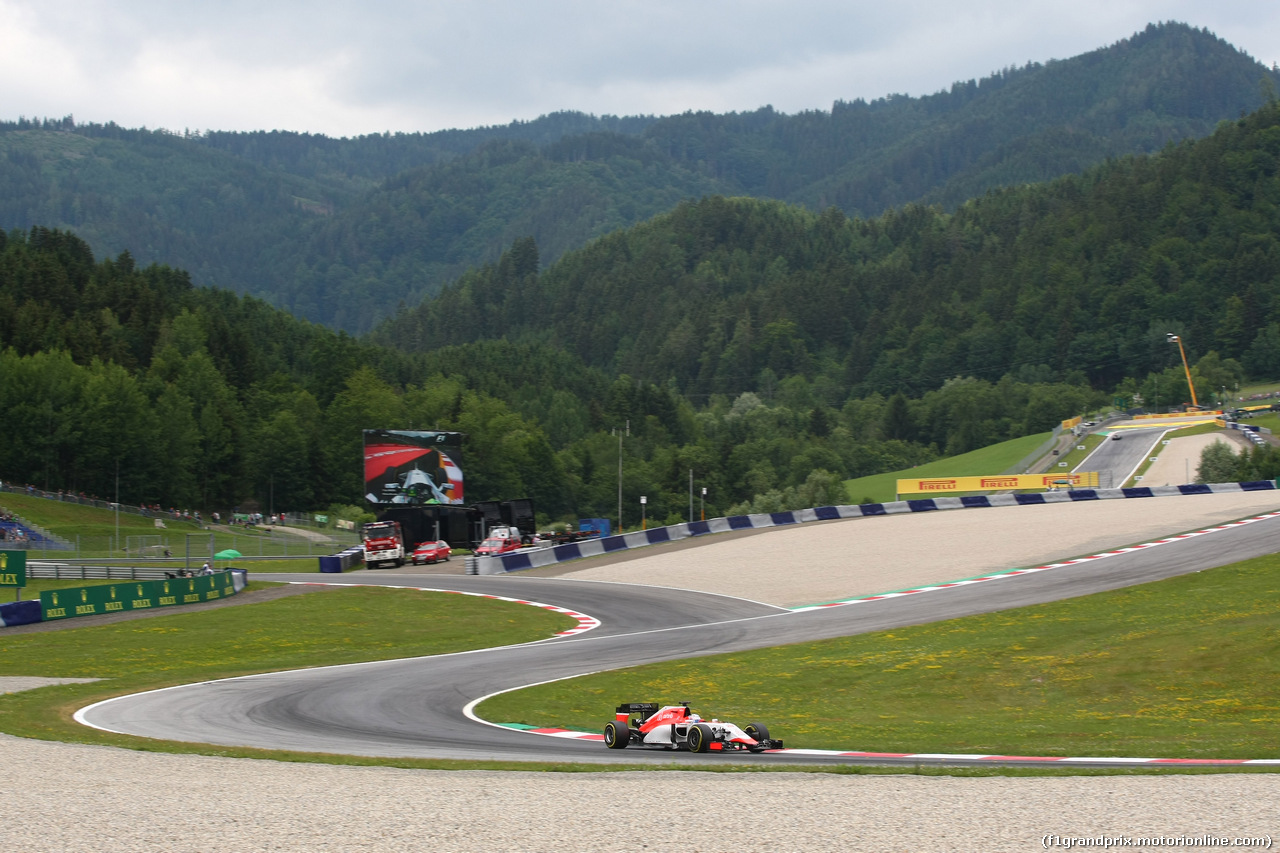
x: 413, y: 467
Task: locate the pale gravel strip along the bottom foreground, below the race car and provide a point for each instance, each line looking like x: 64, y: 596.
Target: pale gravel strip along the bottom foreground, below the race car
x: 94, y: 800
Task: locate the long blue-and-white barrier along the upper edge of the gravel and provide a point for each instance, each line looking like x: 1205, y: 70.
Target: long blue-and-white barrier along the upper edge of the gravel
x: 523, y: 560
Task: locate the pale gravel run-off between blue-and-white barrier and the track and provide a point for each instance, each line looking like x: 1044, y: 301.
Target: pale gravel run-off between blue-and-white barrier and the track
x: 826, y: 562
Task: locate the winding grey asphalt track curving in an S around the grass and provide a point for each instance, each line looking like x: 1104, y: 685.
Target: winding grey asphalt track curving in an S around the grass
x: 417, y: 708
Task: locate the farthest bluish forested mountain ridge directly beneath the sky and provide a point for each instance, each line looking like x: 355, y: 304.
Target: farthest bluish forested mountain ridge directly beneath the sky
x: 344, y: 231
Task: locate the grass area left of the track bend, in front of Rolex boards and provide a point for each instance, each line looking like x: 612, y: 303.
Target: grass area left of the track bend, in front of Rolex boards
x: 318, y: 630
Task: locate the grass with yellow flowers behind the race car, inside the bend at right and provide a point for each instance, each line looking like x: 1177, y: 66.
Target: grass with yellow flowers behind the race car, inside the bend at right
x: 1186, y: 668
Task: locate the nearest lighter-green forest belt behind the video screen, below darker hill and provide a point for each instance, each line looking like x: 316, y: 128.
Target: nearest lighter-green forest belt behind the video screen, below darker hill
x: 117, y: 377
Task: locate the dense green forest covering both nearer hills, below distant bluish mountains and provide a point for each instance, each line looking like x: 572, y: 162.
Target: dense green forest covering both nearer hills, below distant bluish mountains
x: 770, y: 350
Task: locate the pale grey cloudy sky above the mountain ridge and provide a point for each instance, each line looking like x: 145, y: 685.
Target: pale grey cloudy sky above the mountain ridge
x: 348, y: 69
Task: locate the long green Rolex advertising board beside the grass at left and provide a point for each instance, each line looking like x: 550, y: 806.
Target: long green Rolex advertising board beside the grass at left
x: 136, y: 595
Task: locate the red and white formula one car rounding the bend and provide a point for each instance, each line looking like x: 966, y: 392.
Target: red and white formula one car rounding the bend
x: 674, y: 727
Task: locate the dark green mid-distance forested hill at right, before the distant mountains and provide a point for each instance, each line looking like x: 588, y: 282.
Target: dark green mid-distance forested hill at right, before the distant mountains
x: 1082, y: 277
